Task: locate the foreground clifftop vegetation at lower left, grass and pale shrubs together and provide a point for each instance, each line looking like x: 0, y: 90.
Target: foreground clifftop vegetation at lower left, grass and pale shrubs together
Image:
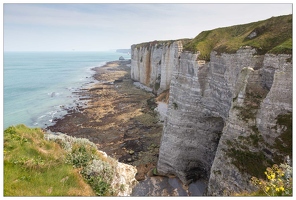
x: 38, y: 164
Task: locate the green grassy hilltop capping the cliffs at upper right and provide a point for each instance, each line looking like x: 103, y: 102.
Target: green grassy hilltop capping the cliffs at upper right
x: 273, y: 35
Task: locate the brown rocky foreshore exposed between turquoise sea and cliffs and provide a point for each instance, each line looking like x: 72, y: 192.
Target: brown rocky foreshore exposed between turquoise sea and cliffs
x: 119, y: 118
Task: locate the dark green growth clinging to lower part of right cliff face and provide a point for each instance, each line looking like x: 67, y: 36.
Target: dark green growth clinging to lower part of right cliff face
x: 255, y: 162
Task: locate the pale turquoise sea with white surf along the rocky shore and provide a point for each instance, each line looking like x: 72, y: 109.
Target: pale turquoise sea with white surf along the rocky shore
x: 39, y: 86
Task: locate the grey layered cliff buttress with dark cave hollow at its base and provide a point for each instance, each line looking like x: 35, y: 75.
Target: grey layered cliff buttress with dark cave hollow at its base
x: 199, y: 104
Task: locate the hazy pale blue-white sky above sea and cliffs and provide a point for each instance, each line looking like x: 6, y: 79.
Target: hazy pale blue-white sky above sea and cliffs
x: 96, y: 27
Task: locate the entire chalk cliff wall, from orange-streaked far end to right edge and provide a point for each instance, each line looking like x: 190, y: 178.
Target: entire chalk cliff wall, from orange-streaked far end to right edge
x: 229, y: 112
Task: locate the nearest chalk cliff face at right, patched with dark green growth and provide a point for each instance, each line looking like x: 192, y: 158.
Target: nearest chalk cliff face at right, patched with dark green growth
x: 251, y: 135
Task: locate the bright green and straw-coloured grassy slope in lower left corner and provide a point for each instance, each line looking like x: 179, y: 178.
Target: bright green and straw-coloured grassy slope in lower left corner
x: 36, y: 167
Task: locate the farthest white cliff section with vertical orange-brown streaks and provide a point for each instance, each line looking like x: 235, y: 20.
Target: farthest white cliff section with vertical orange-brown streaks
x: 153, y: 64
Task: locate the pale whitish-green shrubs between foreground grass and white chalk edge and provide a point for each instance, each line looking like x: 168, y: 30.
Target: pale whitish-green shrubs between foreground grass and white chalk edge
x: 97, y: 170
